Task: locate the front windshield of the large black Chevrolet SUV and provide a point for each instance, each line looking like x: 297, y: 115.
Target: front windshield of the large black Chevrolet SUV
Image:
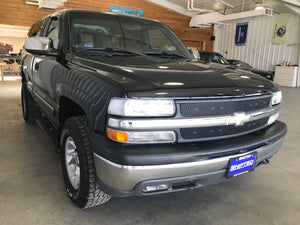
x: 99, y: 33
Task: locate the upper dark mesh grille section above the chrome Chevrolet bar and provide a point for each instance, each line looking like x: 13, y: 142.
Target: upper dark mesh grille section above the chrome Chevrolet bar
x: 223, y: 107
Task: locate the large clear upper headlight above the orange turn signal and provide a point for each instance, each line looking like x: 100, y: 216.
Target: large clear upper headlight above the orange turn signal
x: 141, y: 107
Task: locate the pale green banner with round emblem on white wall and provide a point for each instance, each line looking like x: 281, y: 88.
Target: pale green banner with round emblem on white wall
x: 279, y: 35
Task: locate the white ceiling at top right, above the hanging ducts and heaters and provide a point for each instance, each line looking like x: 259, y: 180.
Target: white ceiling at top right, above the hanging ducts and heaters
x: 239, y: 5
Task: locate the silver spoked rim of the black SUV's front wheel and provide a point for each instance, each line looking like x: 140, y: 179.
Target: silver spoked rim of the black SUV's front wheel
x: 72, y: 163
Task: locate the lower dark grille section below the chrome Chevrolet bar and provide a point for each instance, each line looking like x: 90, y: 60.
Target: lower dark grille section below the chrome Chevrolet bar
x: 202, y: 133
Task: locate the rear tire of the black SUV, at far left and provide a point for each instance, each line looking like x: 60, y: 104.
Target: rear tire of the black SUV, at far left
x: 28, y: 107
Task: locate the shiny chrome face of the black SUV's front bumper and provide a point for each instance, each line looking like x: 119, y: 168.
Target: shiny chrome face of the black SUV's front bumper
x: 125, y: 177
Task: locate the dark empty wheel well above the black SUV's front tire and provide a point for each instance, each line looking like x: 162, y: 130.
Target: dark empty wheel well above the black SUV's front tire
x: 67, y: 109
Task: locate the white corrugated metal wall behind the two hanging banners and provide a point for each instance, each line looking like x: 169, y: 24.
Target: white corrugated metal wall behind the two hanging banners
x: 259, y: 51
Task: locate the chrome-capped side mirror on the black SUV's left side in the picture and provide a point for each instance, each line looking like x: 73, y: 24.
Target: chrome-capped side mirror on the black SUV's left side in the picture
x: 39, y: 46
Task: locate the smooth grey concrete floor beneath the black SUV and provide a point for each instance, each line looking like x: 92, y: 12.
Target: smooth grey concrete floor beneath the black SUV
x: 32, y: 192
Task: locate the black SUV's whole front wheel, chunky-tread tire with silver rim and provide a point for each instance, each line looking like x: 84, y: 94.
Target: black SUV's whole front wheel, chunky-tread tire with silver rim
x: 78, y: 164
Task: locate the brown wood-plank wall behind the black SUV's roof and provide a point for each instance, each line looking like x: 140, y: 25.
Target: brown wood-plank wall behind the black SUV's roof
x: 16, y: 12
